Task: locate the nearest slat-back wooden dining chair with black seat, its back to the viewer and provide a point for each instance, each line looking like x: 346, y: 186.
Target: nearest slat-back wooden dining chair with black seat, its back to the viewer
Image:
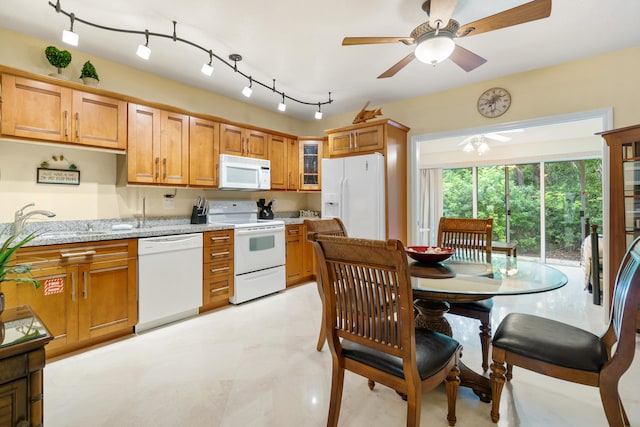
x: 370, y: 327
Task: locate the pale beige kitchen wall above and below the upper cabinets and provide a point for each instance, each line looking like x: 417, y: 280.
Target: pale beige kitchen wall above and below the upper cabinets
x: 600, y: 82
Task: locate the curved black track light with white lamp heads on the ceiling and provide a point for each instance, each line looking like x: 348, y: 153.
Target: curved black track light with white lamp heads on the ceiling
x: 144, y: 52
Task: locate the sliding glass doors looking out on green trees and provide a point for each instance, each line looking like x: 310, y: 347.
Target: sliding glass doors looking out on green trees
x: 515, y: 196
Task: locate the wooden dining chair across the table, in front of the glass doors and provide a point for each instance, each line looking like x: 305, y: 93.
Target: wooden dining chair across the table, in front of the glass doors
x: 471, y: 238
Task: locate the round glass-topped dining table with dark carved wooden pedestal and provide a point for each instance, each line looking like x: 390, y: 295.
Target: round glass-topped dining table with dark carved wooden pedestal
x: 462, y: 280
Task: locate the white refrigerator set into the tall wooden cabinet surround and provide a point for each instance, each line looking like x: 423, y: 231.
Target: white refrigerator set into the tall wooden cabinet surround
x: 353, y: 189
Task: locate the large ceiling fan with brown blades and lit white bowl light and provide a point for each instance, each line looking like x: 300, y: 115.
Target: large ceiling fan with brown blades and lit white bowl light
x: 434, y: 39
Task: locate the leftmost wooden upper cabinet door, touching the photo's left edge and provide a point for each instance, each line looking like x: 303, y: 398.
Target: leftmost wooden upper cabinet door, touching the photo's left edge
x: 34, y: 109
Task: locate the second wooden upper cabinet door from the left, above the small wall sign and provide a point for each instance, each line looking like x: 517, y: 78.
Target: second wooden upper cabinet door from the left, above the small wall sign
x: 99, y: 121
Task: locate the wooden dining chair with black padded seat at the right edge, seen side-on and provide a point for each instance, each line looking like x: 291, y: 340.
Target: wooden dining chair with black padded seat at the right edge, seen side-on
x: 563, y: 351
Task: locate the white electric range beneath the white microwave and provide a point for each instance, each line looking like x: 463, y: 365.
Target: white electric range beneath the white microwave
x: 259, y: 248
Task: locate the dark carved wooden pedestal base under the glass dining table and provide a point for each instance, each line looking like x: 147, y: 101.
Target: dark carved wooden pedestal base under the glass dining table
x: 431, y: 316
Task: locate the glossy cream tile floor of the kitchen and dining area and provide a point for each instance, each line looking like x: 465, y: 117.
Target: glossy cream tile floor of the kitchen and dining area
x: 256, y: 365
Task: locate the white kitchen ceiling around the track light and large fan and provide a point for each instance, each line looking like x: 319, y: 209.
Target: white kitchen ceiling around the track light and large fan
x: 298, y: 43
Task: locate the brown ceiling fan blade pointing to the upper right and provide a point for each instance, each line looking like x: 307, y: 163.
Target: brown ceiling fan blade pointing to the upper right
x: 532, y: 11
